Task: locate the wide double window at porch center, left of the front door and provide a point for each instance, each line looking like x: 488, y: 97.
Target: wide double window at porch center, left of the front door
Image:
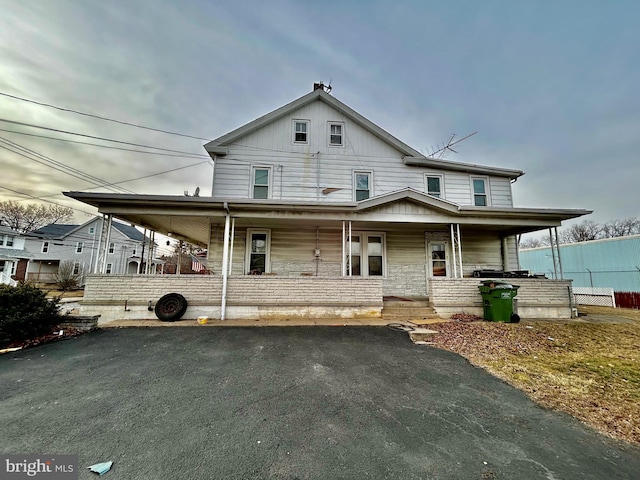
x: 367, y: 255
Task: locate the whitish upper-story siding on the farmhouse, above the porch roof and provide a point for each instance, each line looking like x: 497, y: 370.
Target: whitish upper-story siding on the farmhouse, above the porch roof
x: 302, y: 171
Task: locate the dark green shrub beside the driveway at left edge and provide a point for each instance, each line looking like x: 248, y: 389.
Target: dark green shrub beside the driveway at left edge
x: 25, y: 312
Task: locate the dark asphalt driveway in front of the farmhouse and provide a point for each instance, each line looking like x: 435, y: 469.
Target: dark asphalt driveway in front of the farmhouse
x: 286, y: 403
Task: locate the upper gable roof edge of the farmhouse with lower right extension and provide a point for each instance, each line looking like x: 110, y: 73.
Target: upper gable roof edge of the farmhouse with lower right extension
x: 411, y: 157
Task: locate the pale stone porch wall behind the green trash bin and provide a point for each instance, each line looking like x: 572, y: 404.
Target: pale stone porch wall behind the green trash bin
x: 537, y: 298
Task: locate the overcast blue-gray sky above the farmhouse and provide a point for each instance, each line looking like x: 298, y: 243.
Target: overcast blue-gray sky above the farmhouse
x: 551, y: 87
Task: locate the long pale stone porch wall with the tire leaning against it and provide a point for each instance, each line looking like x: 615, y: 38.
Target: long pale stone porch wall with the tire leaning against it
x: 253, y: 297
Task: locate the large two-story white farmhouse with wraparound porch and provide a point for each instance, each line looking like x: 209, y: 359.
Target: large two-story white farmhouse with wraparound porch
x: 317, y: 211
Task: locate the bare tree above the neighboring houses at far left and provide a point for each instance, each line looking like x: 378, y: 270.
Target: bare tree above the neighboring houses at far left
x: 25, y: 218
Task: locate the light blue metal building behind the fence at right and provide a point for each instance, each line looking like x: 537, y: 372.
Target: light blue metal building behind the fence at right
x: 608, y: 263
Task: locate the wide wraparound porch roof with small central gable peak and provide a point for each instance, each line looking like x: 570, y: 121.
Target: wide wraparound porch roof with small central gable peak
x: 190, y: 218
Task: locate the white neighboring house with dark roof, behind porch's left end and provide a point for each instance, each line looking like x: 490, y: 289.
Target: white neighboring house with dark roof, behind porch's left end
x: 54, y: 244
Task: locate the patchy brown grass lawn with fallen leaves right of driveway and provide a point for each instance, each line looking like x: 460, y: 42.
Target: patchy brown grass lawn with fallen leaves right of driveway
x: 588, y: 370
